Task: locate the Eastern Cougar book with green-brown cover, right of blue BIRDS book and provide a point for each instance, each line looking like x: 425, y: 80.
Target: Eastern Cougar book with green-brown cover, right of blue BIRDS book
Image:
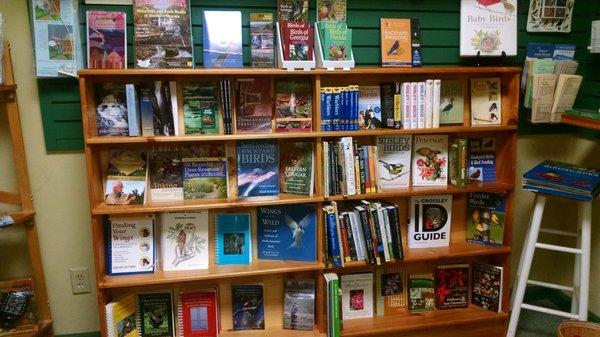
x: 296, y: 168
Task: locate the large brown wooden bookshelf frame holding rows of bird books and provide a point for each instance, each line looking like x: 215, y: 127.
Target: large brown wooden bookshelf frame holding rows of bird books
x: 472, y: 321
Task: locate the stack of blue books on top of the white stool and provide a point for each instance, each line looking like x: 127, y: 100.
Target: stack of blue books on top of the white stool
x: 562, y: 179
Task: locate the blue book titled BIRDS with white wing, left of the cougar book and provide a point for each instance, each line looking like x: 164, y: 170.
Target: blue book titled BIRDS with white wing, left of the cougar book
x: 258, y: 169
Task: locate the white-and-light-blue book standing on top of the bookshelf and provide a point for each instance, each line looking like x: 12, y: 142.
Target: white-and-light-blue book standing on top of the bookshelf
x: 222, y: 34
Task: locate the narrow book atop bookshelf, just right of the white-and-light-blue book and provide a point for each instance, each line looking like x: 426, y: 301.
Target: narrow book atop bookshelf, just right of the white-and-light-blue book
x: 262, y: 48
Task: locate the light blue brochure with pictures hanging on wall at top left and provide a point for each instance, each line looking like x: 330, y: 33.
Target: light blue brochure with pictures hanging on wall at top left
x: 56, y: 37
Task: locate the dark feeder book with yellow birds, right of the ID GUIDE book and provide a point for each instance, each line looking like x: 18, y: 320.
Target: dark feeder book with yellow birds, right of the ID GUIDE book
x: 485, y: 218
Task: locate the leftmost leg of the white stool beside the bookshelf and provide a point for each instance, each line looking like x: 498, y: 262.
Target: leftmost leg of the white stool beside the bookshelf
x: 527, y: 258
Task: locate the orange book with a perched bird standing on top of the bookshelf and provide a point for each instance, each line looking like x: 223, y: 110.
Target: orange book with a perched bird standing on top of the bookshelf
x: 395, y: 43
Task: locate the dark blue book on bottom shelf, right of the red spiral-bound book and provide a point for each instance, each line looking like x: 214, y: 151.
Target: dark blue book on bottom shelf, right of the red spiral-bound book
x: 247, y: 307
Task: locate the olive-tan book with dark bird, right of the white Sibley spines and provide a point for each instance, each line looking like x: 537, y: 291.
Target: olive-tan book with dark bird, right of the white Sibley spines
x: 451, y: 107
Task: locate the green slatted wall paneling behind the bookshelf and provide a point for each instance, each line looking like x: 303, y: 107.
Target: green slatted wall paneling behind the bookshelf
x: 440, y: 25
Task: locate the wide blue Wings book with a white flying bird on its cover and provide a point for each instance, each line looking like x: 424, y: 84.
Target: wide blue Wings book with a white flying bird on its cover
x: 287, y: 232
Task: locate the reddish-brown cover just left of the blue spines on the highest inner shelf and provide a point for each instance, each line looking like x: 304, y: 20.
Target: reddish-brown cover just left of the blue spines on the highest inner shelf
x: 293, y: 105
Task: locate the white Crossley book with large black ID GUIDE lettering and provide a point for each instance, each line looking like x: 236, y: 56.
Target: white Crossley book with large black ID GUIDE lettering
x: 430, y: 221
